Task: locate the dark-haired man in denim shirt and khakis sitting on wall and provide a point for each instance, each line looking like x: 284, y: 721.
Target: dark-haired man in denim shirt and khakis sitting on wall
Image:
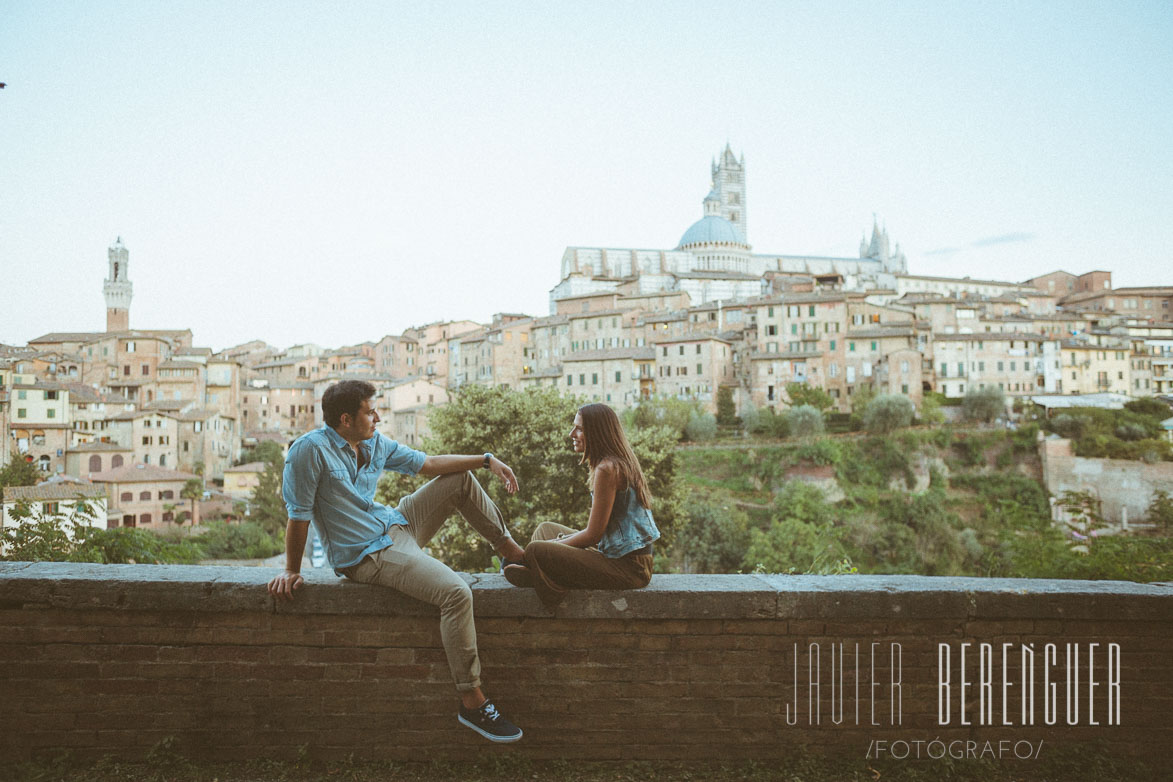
x: 330, y: 479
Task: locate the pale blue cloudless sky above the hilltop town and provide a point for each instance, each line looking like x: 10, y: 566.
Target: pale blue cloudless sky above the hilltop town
x: 334, y: 173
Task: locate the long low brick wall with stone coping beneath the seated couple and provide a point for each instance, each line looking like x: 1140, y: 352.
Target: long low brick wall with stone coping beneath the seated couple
x: 111, y: 659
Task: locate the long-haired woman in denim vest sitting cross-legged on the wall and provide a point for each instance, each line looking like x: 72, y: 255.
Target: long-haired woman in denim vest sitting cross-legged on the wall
x: 615, y: 552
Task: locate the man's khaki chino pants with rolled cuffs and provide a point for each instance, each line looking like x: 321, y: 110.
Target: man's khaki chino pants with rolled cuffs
x: 406, y: 568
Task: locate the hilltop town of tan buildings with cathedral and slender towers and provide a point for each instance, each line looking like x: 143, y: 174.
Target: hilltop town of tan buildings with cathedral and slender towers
x: 141, y: 412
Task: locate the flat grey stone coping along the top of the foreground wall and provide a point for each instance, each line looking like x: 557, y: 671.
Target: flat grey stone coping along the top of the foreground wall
x: 833, y: 599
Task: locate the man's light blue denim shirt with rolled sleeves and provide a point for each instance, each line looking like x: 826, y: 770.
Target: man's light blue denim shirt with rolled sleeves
x: 323, y: 485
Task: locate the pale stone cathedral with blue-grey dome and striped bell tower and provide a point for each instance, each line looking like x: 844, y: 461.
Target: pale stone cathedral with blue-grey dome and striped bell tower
x: 714, y: 261
